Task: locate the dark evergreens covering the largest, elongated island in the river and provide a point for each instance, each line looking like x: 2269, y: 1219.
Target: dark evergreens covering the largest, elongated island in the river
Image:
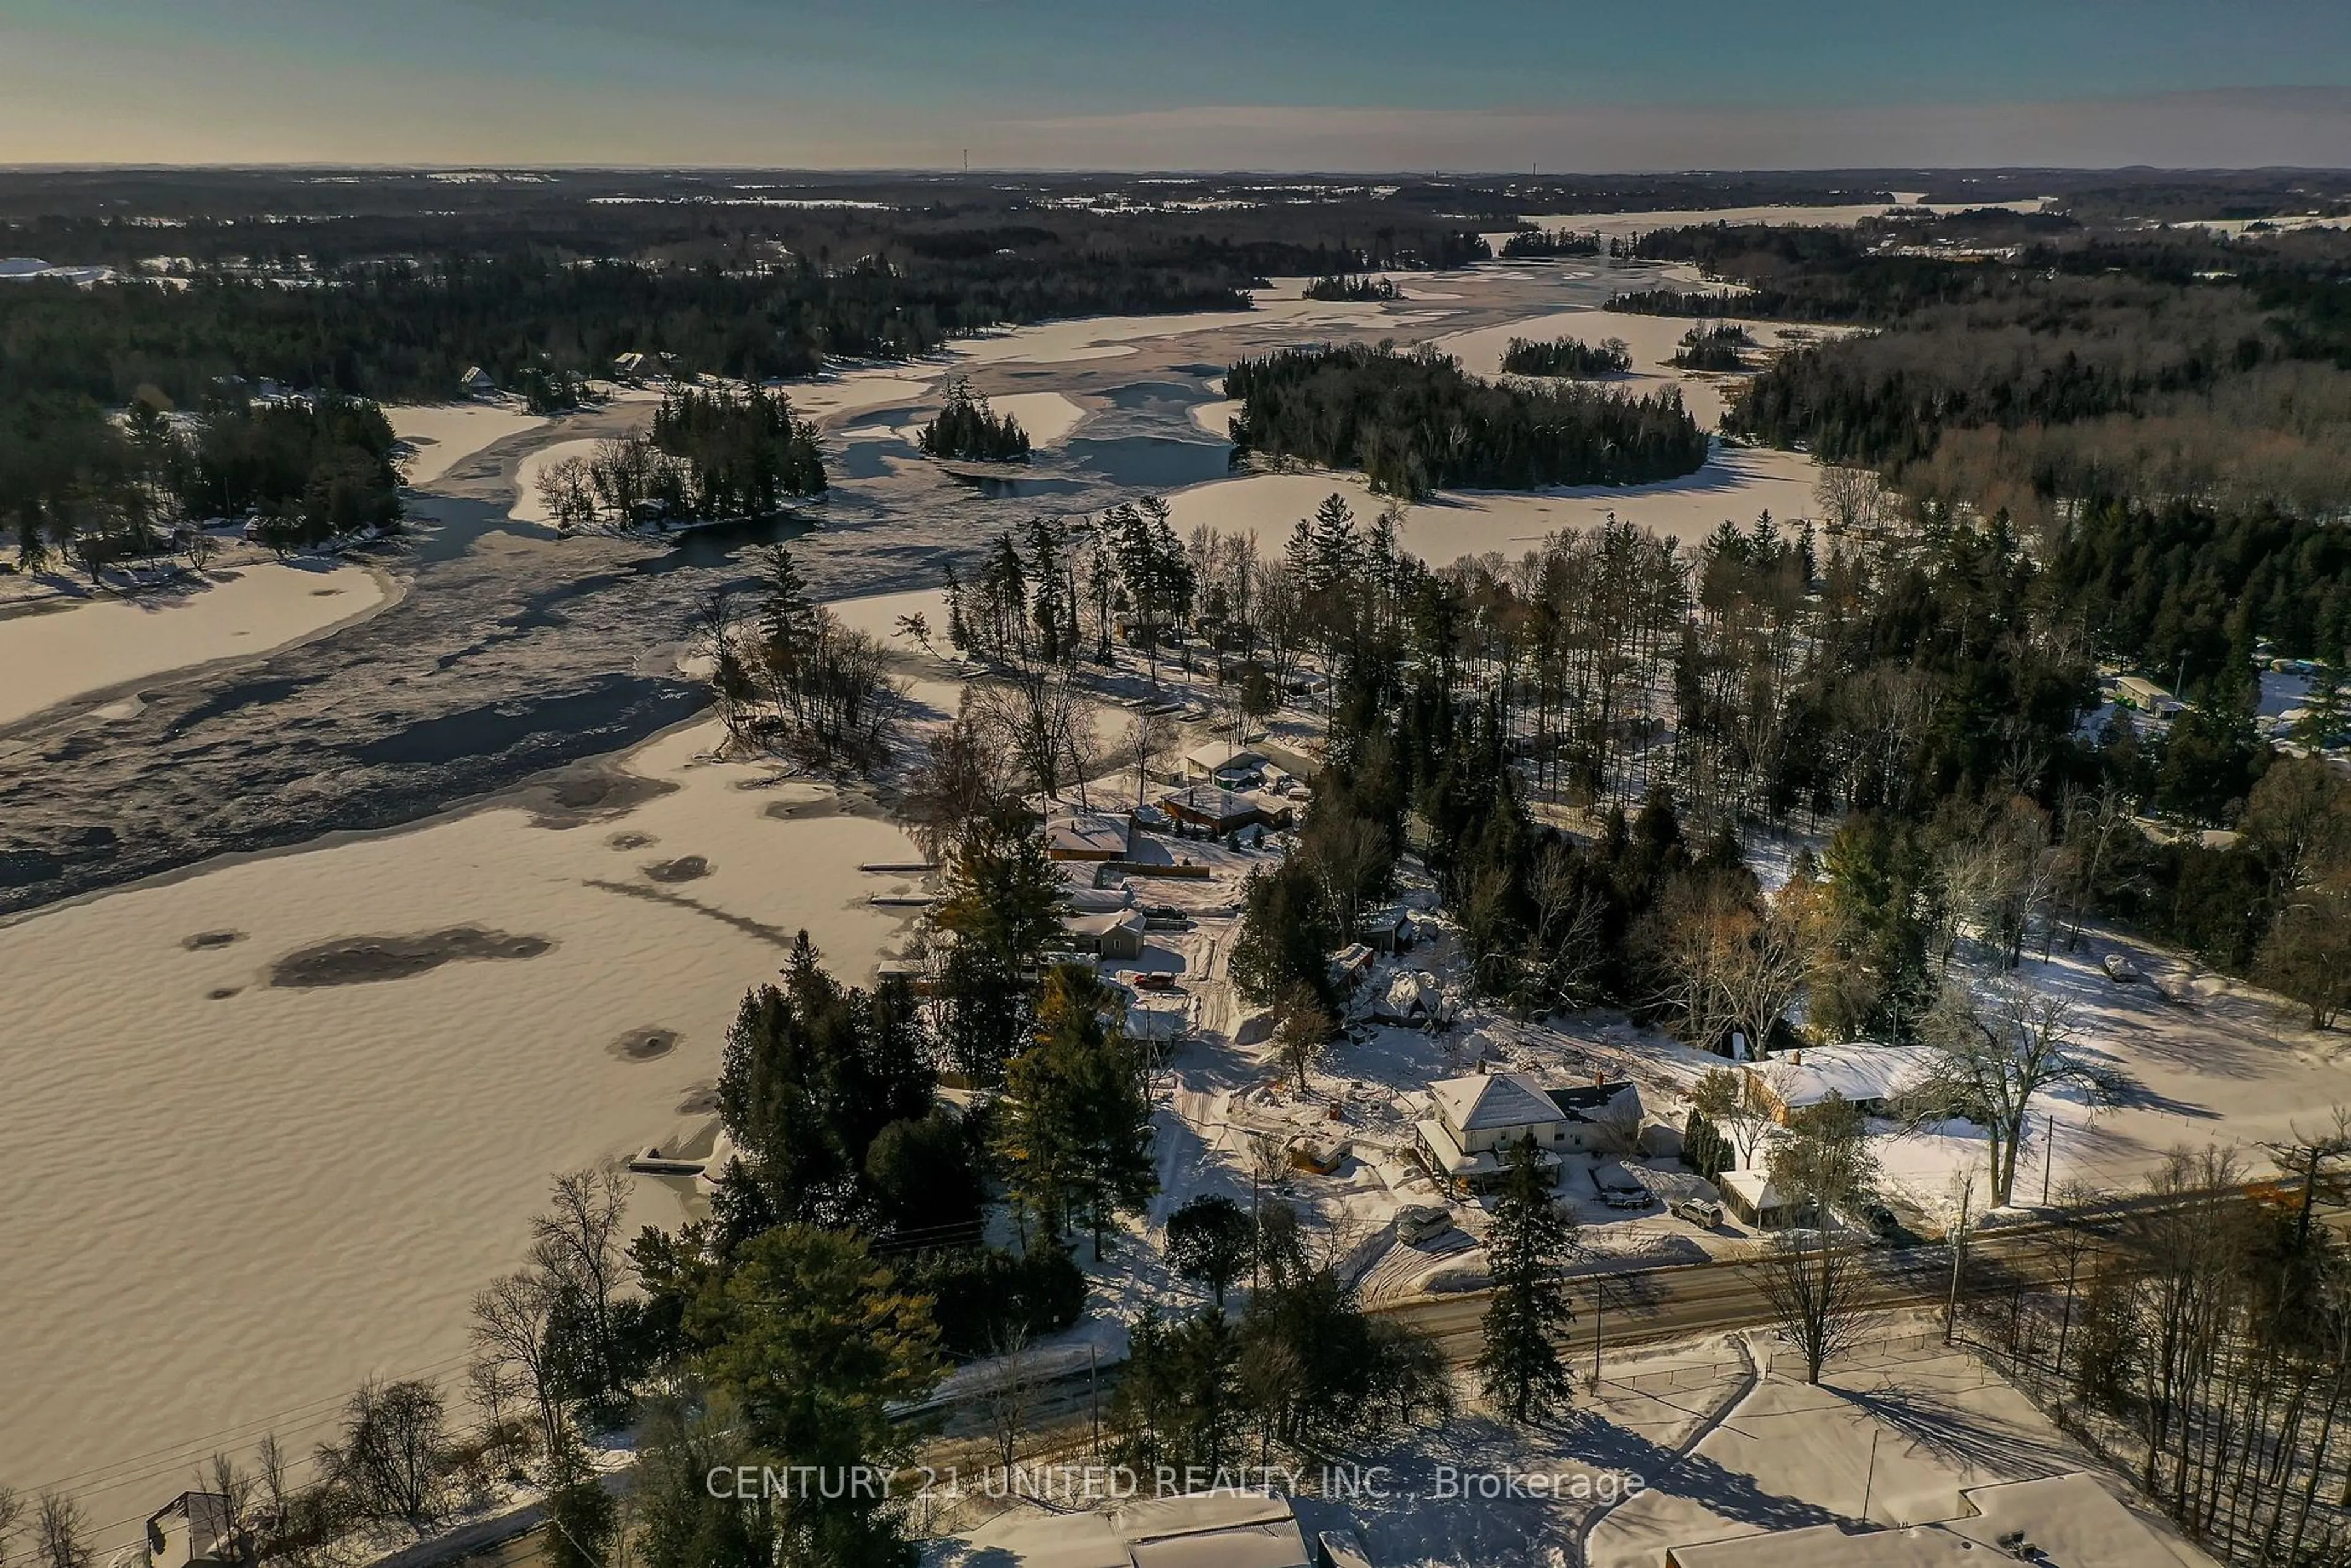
x: 1416, y: 422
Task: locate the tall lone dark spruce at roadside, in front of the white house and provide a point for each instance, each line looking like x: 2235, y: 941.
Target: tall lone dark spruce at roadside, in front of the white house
x: 1522, y: 1369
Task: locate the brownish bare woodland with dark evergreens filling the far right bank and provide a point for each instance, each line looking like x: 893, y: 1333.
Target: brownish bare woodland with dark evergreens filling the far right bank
x: 2164, y: 417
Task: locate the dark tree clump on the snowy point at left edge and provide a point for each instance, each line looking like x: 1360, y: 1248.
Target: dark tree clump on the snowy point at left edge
x: 102, y: 490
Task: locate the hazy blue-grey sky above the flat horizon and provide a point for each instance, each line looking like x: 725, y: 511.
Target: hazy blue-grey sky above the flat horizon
x: 1184, y: 83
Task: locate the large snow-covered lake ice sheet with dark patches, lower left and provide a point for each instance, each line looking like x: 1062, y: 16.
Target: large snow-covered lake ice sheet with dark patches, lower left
x: 276, y: 1120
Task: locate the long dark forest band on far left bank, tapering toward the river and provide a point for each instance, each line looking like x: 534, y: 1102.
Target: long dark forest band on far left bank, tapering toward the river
x: 410, y: 330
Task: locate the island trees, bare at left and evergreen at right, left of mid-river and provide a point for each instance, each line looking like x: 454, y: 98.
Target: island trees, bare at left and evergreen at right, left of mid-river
x: 709, y: 455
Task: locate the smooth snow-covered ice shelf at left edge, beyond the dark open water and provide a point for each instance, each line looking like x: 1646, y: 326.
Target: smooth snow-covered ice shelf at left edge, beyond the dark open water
x: 229, y: 612
